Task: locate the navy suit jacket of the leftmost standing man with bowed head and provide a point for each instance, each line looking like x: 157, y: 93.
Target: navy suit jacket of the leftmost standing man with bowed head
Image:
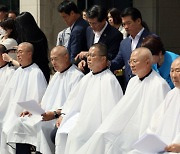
x: 77, y: 41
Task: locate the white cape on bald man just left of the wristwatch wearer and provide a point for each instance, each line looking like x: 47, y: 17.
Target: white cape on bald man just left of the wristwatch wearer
x: 26, y: 84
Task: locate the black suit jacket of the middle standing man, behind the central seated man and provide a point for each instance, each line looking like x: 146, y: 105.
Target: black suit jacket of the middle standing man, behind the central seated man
x: 111, y: 37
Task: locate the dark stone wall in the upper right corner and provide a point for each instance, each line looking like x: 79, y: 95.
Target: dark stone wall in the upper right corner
x: 162, y: 17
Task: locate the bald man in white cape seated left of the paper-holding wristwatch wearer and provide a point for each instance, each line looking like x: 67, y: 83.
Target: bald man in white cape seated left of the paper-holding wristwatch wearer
x: 27, y: 83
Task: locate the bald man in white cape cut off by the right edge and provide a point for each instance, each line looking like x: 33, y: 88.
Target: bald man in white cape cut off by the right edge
x: 165, y: 122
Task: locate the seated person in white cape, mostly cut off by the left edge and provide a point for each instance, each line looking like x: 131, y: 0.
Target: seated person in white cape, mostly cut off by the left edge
x: 5, y: 70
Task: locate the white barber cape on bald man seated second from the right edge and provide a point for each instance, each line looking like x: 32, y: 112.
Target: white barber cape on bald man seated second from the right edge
x: 129, y: 118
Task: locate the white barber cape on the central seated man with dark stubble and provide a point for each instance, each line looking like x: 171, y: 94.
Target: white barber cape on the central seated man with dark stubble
x: 94, y: 98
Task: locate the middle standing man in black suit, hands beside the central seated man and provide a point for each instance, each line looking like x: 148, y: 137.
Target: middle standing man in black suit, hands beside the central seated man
x: 100, y: 31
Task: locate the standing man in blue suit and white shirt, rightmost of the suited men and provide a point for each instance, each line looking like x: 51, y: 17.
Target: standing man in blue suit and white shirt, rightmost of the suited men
x: 132, y: 22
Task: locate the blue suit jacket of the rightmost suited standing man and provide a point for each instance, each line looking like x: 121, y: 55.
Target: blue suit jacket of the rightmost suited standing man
x: 124, y: 55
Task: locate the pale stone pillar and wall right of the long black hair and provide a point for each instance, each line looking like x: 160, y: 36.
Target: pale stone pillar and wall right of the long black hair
x: 46, y: 15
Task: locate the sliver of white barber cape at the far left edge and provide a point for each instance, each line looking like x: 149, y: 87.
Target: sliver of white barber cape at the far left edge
x: 6, y: 73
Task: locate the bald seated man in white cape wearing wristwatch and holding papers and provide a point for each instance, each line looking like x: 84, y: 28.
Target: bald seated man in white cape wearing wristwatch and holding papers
x: 63, y: 81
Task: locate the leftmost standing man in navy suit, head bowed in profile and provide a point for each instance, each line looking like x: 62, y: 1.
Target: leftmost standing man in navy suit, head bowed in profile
x: 71, y: 15
